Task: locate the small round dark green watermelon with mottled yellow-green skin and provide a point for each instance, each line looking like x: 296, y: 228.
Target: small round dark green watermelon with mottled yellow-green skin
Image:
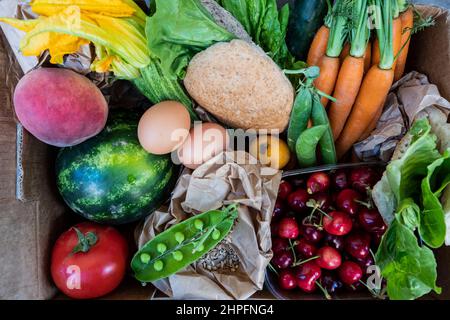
x: 110, y: 178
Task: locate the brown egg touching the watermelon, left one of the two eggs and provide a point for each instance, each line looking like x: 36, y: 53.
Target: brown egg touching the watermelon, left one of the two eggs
x: 164, y: 127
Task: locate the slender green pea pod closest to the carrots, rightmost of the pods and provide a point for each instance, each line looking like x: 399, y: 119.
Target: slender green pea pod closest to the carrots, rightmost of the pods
x: 326, y: 143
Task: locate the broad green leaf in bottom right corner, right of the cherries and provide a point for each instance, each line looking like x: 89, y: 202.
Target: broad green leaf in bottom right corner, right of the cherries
x: 410, y: 270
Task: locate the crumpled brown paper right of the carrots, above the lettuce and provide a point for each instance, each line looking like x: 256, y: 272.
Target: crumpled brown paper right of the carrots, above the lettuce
x: 410, y: 98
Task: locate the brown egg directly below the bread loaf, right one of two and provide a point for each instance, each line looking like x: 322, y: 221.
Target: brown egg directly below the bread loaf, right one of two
x: 205, y: 141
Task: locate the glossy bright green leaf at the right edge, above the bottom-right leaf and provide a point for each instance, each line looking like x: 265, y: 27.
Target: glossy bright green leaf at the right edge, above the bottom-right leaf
x: 432, y: 228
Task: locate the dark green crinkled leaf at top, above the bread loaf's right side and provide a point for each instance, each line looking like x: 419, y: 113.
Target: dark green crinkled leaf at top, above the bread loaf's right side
x: 265, y: 24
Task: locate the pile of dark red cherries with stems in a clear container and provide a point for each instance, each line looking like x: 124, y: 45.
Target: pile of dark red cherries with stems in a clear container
x: 325, y: 230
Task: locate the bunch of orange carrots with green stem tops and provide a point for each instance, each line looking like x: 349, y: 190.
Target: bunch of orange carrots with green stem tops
x: 356, y: 71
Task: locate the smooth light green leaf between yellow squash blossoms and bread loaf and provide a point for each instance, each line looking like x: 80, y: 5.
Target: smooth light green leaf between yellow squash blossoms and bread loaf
x: 178, y: 30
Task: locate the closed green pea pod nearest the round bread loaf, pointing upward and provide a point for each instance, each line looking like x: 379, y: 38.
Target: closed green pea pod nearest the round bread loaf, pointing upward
x: 301, y: 112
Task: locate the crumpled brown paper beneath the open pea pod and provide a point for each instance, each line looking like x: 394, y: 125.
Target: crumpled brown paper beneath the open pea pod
x: 235, y: 268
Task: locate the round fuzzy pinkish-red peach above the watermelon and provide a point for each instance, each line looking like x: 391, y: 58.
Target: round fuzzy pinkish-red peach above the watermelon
x: 59, y: 106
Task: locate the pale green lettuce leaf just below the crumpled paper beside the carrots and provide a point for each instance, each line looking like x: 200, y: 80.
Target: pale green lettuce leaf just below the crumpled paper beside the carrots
x: 406, y: 174
